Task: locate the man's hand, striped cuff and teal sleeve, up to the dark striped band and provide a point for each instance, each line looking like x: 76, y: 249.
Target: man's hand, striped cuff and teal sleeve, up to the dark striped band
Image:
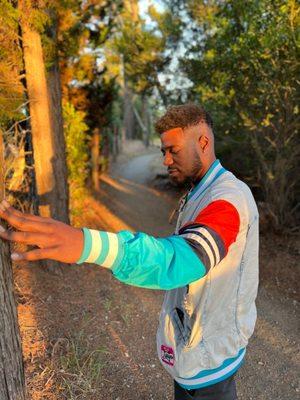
x: 136, y: 259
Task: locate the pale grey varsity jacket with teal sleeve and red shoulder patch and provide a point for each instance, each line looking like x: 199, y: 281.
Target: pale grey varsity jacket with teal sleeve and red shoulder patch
x: 209, y: 269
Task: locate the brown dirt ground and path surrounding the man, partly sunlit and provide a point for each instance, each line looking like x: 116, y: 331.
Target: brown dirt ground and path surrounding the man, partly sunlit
x: 76, y: 319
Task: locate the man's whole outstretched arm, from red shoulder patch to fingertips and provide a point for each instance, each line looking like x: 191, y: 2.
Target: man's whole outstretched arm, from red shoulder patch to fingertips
x: 134, y: 258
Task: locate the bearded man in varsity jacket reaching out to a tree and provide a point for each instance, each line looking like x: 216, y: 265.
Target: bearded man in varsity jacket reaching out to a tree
x: 209, y: 266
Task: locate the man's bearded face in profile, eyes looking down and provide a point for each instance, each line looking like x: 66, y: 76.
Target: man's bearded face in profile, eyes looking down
x: 180, y: 153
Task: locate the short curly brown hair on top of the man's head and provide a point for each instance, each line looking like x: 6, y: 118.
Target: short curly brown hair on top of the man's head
x: 183, y: 116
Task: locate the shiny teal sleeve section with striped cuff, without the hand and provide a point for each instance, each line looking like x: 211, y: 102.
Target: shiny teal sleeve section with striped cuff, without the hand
x: 142, y: 260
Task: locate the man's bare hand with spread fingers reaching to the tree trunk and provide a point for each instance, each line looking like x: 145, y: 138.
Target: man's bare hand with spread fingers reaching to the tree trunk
x: 55, y: 240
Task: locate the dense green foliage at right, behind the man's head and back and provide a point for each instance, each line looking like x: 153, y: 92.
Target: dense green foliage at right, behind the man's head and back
x: 242, y: 61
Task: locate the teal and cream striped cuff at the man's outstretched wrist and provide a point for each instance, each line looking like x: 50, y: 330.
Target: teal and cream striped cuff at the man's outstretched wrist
x: 102, y: 248
